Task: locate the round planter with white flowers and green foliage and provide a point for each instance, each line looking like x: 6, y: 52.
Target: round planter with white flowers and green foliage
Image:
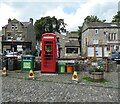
x: 97, y: 73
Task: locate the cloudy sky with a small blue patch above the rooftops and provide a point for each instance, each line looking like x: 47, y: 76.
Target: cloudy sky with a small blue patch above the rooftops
x: 72, y: 11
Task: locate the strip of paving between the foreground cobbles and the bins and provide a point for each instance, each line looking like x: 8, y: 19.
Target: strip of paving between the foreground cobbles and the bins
x: 111, y: 77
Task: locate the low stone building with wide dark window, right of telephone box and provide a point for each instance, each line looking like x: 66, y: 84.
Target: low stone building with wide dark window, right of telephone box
x: 68, y: 45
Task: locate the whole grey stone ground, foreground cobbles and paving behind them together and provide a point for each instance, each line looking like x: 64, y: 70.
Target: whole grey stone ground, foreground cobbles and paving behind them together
x: 59, y: 88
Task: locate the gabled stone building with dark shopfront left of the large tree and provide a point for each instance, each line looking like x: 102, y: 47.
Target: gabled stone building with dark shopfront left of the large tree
x: 18, y: 36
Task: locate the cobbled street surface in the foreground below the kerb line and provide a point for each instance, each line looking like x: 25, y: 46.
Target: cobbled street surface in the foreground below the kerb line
x: 19, y: 90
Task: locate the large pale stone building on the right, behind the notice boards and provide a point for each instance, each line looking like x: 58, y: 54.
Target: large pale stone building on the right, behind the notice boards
x: 97, y: 33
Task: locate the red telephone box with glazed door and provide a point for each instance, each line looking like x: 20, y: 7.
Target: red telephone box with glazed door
x: 49, y: 52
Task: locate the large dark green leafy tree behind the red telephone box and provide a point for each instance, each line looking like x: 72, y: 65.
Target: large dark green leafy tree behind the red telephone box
x: 49, y: 25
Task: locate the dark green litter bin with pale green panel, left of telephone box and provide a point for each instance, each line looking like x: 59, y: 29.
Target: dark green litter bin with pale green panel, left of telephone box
x: 28, y: 62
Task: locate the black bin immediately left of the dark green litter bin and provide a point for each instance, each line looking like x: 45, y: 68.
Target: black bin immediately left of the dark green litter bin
x: 12, y: 62
